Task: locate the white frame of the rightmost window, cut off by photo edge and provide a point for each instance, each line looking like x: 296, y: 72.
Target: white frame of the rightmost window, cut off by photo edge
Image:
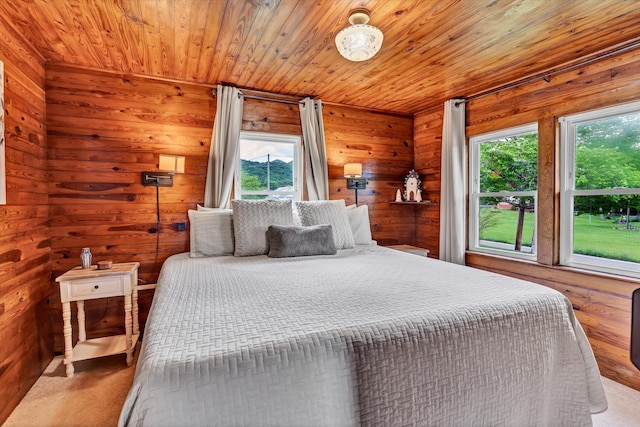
x: 568, y: 192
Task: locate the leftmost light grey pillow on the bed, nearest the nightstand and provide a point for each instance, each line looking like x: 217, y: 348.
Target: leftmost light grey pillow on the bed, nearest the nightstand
x: 211, y: 232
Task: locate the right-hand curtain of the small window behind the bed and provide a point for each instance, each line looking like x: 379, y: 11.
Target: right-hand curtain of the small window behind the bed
x: 315, y: 154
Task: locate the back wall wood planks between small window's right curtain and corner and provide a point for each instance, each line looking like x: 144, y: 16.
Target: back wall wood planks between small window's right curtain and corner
x: 383, y: 143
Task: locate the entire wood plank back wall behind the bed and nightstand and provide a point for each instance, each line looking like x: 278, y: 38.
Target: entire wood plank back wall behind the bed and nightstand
x: 104, y: 129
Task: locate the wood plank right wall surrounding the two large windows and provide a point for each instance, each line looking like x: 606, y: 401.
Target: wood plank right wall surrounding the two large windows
x: 602, y: 302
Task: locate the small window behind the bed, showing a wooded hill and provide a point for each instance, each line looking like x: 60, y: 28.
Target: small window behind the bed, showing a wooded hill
x: 269, y: 167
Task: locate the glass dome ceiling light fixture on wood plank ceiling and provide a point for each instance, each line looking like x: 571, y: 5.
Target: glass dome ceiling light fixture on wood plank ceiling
x: 360, y: 41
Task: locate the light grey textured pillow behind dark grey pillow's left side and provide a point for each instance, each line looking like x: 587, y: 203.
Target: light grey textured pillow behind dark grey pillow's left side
x: 251, y: 218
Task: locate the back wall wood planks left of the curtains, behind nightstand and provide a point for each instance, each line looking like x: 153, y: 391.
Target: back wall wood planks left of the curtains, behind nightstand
x: 103, y: 131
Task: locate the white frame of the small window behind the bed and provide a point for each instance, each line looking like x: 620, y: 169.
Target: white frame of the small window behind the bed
x: 295, y: 140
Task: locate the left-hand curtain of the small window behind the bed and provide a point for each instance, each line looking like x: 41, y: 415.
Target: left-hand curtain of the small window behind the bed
x: 224, y: 148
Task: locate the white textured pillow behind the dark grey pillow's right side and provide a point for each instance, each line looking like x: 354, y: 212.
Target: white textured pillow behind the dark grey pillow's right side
x: 331, y: 212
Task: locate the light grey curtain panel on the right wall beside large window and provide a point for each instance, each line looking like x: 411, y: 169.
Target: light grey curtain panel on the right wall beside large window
x: 452, y: 194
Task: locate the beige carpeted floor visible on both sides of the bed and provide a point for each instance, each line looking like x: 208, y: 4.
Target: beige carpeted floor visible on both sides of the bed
x: 98, y: 390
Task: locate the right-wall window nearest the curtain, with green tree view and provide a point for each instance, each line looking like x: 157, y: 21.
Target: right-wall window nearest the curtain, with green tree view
x: 503, y: 183
